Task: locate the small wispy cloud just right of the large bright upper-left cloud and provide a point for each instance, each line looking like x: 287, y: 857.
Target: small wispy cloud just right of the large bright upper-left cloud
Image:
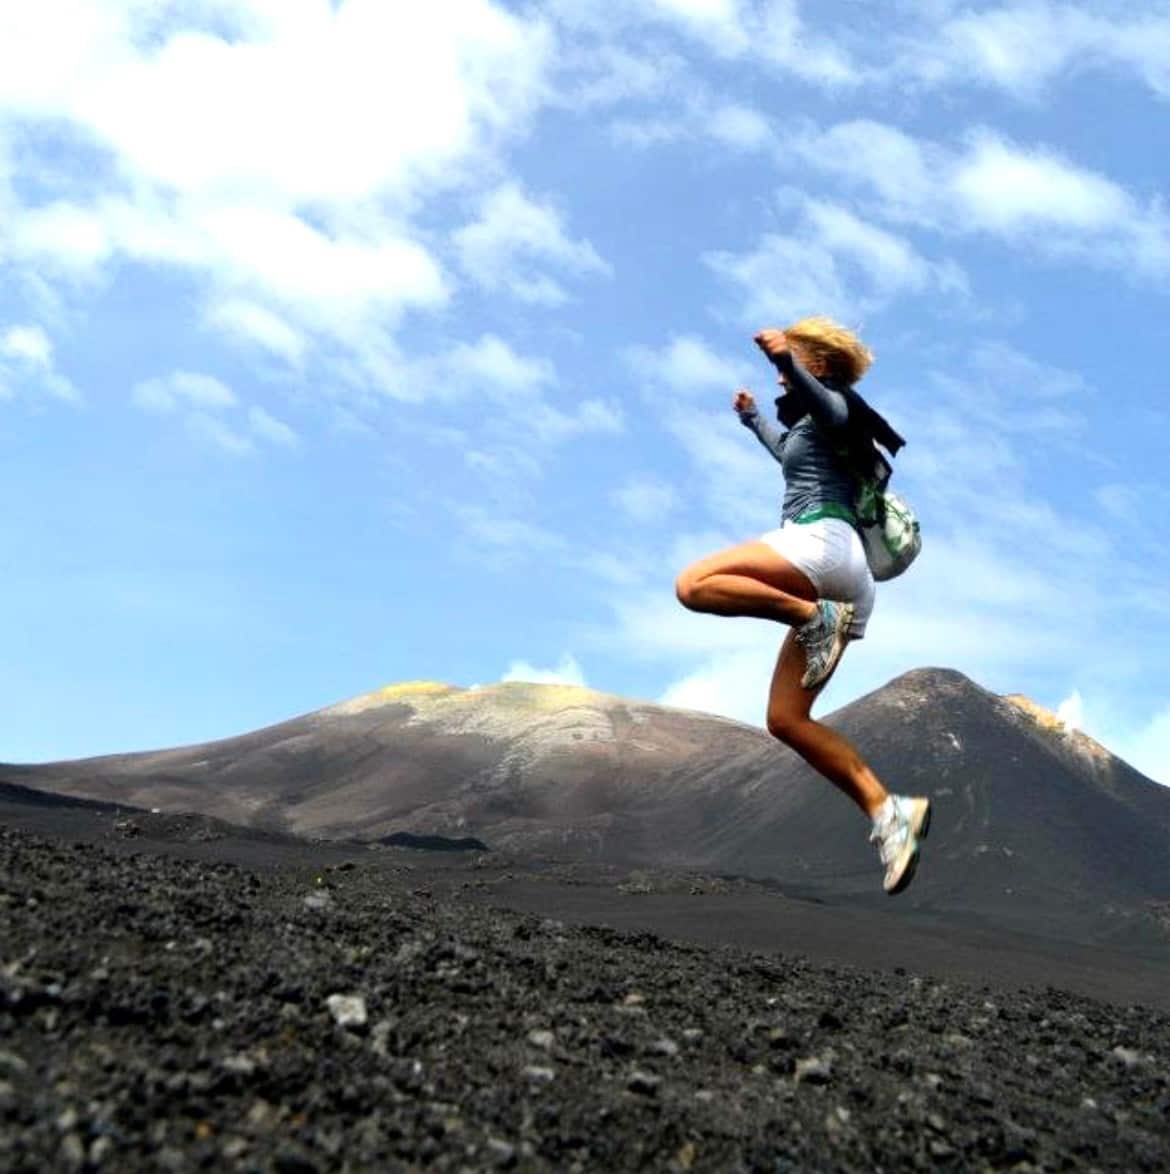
x: 513, y: 238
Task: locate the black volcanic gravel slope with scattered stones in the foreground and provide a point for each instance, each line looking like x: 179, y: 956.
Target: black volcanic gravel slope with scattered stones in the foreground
x: 177, y: 1015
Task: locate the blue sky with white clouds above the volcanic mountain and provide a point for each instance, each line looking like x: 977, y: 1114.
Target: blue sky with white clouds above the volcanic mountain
x: 353, y: 343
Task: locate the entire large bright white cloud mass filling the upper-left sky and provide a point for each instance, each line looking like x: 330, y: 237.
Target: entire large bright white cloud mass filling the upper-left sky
x: 290, y: 186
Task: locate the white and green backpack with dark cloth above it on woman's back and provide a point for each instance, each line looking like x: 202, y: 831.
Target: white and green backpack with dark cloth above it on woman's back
x: 885, y: 521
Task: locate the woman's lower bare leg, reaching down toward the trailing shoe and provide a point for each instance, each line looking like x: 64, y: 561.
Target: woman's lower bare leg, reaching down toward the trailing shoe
x: 789, y: 707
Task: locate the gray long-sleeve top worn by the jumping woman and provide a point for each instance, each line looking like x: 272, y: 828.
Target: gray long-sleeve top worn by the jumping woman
x: 814, y: 474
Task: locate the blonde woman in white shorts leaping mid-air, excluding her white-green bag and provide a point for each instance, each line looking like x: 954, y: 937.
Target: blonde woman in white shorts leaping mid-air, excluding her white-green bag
x: 811, y: 573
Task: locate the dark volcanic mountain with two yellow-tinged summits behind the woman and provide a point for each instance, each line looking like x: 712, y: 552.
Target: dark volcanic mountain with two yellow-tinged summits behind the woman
x: 1036, y: 827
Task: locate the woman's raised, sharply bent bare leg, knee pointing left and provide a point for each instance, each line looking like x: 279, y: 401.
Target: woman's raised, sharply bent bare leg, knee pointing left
x: 749, y: 581
